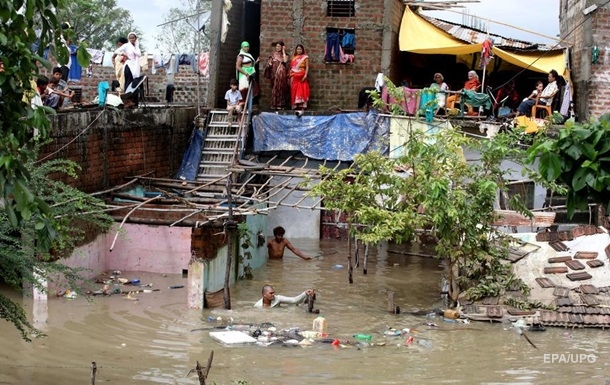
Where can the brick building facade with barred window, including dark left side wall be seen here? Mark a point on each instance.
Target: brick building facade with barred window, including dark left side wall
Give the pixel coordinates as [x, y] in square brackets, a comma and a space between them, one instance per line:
[374, 25]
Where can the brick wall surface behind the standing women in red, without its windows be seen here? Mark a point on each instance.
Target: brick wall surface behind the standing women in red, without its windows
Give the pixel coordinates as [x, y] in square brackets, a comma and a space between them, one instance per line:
[305, 22]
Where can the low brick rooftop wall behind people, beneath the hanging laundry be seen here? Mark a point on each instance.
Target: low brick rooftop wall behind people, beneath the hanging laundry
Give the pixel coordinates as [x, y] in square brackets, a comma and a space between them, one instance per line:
[185, 82]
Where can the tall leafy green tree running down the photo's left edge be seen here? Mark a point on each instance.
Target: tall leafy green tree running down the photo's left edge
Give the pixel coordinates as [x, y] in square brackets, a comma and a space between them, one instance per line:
[31, 222]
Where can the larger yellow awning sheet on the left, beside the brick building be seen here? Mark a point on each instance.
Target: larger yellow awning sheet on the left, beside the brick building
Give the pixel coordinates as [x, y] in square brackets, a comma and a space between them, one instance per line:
[420, 36]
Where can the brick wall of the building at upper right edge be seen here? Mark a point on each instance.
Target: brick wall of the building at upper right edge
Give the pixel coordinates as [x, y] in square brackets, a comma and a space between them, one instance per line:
[591, 81]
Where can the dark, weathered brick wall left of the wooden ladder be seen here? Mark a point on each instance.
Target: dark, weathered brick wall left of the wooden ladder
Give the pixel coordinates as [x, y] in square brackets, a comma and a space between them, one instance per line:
[111, 145]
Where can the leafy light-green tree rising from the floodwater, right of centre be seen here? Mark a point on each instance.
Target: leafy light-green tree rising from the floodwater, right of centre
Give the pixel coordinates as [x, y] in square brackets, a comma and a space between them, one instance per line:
[436, 191]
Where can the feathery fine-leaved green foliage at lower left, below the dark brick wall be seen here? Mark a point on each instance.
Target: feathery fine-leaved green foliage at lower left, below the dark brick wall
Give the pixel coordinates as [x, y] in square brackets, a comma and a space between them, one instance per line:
[71, 210]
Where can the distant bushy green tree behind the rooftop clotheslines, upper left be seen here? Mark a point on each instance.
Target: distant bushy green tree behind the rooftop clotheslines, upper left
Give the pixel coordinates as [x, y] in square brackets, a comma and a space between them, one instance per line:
[99, 22]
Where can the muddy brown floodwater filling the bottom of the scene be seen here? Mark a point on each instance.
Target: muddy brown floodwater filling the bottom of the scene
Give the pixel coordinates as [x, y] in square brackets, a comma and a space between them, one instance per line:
[153, 341]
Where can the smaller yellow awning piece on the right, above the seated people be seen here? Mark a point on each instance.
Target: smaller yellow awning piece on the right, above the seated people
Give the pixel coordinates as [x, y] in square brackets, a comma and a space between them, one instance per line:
[539, 61]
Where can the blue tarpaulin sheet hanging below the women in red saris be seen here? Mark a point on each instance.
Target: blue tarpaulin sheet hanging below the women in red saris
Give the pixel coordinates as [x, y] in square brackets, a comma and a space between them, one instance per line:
[332, 137]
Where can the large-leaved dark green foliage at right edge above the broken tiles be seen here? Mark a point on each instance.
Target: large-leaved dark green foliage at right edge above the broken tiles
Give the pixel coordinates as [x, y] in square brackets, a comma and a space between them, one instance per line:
[579, 158]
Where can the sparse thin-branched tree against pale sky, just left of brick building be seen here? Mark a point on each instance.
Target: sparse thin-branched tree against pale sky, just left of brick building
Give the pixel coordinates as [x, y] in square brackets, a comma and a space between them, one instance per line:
[179, 34]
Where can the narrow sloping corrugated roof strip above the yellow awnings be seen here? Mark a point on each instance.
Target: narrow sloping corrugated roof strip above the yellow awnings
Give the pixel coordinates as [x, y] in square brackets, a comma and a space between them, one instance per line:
[471, 35]
